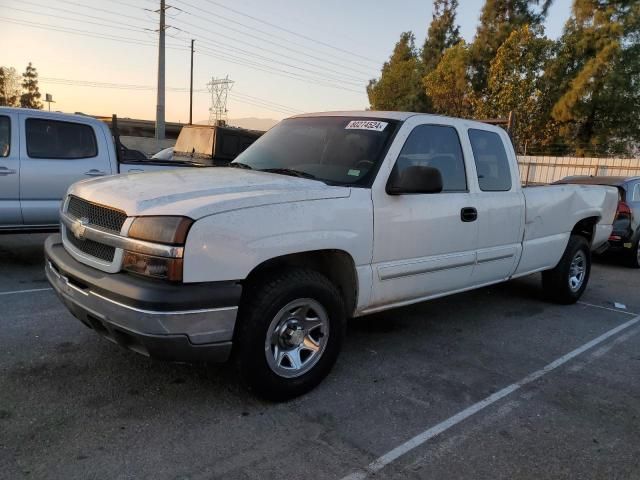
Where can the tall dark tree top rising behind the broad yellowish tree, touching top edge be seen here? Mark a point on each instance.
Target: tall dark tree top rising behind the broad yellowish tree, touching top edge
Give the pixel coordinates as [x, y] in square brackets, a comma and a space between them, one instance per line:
[498, 19]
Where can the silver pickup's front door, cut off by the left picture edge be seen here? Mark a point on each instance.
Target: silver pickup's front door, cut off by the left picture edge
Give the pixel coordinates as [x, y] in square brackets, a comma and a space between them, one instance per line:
[10, 215]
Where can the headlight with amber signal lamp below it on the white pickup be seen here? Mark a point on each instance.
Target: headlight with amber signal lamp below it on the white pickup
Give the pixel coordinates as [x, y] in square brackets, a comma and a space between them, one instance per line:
[165, 230]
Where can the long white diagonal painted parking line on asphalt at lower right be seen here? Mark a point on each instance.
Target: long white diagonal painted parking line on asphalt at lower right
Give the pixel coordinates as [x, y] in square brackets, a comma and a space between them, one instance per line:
[430, 433]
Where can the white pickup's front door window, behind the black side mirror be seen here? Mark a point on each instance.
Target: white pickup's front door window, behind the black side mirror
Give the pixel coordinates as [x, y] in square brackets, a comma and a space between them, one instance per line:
[439, 147]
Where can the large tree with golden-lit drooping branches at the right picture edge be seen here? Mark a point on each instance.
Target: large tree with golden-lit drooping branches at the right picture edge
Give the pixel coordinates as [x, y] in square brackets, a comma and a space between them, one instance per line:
[596, 75]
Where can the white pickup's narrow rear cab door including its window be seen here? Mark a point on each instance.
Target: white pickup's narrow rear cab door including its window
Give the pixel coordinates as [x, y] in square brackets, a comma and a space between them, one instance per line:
[500, 206]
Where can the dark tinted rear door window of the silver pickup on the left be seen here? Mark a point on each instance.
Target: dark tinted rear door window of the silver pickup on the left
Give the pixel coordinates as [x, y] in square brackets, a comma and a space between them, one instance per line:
[60, 140]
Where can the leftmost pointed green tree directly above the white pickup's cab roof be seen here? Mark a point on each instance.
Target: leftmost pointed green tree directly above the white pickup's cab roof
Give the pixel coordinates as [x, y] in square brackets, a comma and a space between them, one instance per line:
[399, 86]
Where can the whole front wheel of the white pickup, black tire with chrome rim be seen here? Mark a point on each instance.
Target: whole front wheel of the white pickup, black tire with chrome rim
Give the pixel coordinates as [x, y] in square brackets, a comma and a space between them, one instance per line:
[291, 329]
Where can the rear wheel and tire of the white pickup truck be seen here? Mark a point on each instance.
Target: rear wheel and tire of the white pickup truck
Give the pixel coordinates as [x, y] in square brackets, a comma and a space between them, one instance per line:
[566, 283]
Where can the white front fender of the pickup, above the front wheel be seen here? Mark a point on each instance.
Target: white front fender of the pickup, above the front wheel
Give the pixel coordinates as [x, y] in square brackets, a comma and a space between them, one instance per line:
[230, 245]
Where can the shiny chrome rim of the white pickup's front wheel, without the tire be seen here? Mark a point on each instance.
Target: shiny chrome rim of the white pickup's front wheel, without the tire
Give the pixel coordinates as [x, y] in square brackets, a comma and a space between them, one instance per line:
[297, 337]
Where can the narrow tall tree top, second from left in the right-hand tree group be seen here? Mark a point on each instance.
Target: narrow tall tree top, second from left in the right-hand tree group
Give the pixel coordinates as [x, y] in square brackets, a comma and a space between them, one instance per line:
[443, 33]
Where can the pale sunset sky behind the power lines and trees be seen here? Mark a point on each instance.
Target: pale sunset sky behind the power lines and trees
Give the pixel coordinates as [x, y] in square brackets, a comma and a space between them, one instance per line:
[286, 56]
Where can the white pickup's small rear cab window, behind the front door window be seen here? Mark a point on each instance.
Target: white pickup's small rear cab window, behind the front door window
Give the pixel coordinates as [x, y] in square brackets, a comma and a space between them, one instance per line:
[492, 163]
